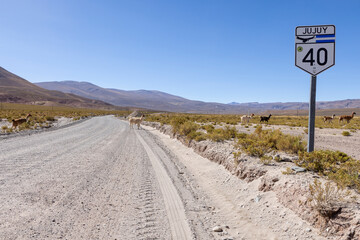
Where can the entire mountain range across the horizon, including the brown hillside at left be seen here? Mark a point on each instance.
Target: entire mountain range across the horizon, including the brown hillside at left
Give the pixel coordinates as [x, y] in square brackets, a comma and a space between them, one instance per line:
[84, 94]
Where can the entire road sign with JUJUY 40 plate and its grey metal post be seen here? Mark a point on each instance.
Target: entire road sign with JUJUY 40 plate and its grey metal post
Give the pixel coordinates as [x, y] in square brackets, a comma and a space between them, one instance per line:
[314, 53]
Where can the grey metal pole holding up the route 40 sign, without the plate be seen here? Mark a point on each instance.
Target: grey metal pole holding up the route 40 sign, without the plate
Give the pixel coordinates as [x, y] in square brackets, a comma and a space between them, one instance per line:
[311, 130]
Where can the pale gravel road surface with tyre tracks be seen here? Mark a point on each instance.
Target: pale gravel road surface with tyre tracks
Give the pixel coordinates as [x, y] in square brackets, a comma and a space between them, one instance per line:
[98, 179]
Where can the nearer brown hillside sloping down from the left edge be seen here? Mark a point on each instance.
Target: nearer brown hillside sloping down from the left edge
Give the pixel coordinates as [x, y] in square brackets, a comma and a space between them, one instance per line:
[18, 90]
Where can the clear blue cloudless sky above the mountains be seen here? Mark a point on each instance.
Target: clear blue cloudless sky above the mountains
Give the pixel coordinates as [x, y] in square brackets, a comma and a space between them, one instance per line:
[214, 51]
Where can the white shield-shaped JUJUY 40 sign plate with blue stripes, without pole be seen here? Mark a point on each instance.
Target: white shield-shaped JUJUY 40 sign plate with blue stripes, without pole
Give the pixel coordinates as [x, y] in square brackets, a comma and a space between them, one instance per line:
[315, 48]
